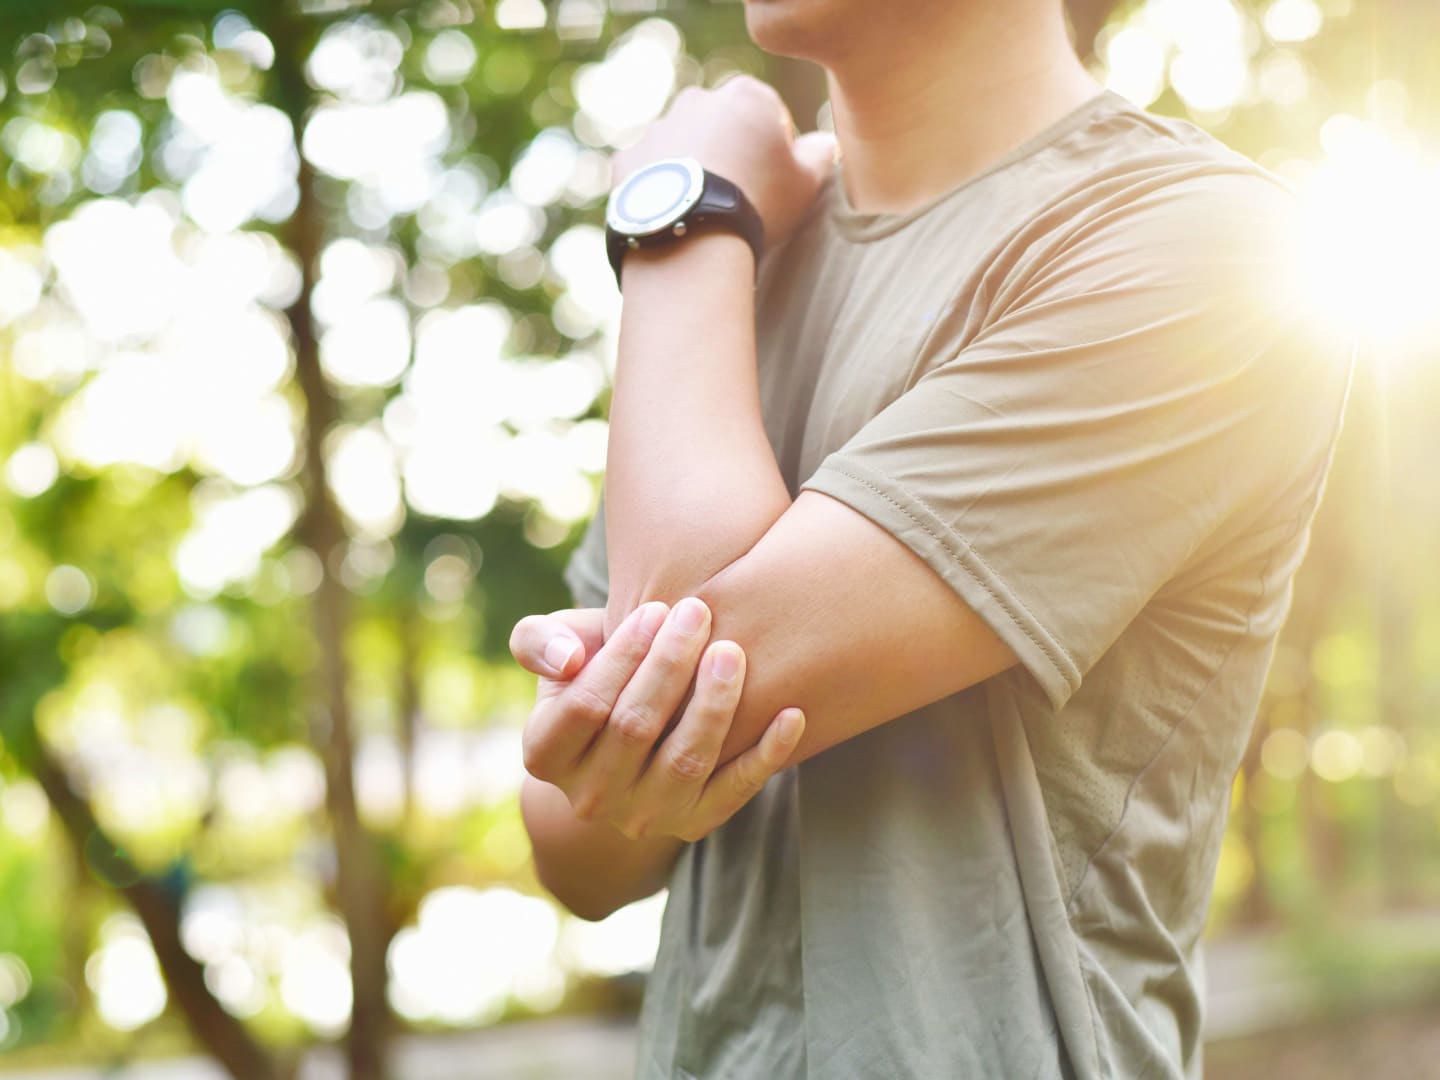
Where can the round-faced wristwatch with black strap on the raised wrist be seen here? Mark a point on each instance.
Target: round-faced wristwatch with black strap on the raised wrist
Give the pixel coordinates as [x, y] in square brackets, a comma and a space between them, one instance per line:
[667, 199]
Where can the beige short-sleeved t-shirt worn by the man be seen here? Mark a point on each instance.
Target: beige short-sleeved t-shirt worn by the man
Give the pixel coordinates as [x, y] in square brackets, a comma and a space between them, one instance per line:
[1078, 388]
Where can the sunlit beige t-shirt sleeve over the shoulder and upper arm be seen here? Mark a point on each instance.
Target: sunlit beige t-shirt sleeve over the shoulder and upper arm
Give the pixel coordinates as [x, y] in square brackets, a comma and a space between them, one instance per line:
[1146, 385]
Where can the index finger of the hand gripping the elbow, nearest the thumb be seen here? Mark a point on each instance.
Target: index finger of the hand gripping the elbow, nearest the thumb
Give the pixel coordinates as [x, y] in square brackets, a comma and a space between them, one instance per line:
[561, 728]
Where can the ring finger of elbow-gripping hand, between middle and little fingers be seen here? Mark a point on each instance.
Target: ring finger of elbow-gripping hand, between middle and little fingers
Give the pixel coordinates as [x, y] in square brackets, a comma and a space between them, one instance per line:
[692, 752]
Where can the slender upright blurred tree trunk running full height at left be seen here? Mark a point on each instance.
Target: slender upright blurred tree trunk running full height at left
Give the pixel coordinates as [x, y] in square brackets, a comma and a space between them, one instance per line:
[361, 888]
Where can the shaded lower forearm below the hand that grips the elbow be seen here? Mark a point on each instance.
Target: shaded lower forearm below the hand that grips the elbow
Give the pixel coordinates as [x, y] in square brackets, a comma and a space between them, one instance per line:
[591, 869]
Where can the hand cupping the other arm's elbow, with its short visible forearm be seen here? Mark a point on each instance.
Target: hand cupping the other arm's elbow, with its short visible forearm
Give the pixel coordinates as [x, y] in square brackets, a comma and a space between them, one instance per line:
[604, 809]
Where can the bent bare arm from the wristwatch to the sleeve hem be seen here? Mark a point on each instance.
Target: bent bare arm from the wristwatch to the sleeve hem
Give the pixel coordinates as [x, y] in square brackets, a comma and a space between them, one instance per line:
[836, 616]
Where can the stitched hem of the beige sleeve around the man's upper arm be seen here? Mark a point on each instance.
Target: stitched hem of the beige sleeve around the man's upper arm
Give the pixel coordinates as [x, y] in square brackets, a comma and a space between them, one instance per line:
[896, 510]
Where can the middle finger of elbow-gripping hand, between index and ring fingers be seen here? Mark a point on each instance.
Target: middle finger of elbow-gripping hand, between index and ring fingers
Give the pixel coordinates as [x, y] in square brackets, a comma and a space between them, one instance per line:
[647, 703]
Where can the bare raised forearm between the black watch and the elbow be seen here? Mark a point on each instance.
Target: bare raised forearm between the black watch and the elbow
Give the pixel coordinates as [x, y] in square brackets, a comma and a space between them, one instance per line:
[692, 482]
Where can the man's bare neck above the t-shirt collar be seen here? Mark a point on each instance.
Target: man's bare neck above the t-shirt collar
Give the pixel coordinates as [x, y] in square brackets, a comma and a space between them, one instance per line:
[917, 126]
